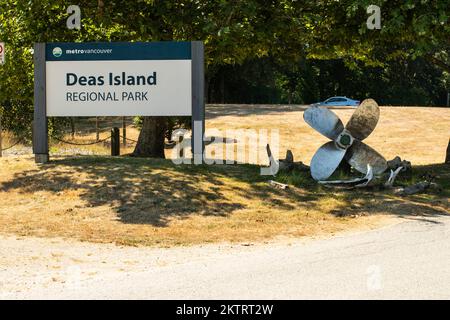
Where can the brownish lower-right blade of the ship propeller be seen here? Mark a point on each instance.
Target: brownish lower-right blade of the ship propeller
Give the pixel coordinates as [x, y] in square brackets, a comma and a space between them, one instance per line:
[360, 155]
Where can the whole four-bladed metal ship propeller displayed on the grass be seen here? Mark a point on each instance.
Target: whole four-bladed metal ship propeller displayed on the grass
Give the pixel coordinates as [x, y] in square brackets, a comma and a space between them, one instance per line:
[347, 141]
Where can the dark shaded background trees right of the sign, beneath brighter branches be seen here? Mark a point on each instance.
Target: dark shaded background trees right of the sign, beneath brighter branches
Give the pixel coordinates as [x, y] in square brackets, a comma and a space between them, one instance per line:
[400, 82]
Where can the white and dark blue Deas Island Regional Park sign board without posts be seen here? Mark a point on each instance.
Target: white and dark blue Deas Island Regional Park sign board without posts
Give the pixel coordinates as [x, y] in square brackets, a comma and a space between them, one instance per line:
[118, 79]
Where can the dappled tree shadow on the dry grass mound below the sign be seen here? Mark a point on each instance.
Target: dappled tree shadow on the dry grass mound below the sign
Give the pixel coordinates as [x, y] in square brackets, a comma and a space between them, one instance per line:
[152, 191]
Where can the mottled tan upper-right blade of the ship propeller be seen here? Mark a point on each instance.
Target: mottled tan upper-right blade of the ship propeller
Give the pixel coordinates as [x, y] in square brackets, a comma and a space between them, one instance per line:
[364, 119]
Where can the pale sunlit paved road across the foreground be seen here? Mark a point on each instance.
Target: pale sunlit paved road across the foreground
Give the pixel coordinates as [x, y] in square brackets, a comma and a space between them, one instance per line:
[406, 260]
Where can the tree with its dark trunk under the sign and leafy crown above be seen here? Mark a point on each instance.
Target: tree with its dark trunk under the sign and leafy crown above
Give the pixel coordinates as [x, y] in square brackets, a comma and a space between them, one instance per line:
[233, 32]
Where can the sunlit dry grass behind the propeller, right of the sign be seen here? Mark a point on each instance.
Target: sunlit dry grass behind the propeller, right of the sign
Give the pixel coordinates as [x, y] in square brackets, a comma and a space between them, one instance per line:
[417, 134]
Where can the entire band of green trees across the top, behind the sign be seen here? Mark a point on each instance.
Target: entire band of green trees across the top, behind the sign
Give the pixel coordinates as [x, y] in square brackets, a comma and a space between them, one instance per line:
[280, 38]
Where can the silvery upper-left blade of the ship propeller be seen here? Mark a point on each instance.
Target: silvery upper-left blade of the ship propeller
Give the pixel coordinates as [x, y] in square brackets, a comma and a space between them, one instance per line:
[323, 121]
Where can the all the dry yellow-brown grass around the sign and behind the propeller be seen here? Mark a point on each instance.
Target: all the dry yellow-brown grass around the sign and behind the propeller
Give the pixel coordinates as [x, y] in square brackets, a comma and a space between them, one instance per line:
[154, 202]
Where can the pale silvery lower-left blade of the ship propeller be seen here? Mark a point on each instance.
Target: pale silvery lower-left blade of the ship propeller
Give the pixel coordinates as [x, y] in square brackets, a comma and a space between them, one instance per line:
[326, 160]
